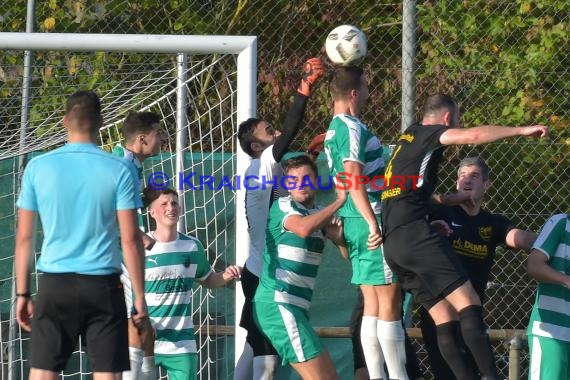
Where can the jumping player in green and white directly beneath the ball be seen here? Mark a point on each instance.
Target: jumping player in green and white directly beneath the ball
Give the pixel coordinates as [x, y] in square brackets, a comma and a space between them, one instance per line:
[353, 150]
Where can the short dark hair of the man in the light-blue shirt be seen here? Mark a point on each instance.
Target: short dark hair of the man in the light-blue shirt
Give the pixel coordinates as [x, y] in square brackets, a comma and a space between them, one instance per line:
[85, 108]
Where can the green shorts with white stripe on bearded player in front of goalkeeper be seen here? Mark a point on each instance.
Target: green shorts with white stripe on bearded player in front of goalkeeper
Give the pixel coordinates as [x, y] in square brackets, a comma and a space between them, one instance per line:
[288, 329]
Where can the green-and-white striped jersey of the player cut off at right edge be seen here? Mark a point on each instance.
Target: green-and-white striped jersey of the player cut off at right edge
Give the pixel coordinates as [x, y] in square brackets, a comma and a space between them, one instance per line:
[550, 315]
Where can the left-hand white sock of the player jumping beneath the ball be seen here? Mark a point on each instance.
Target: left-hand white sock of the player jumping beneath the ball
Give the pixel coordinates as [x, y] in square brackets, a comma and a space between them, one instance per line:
[371, 348]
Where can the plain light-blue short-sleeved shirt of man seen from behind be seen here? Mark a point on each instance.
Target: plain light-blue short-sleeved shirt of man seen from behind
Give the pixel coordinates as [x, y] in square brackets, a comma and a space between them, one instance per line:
[77, 191]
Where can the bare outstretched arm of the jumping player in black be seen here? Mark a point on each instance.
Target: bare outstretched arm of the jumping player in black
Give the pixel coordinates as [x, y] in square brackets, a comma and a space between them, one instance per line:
[489, 133]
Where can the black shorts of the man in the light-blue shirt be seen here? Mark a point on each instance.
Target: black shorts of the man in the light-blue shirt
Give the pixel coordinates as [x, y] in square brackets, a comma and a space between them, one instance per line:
[70, 305]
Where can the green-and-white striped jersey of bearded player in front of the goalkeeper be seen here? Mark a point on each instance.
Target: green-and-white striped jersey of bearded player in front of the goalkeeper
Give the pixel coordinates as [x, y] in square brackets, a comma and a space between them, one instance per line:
[290, 262]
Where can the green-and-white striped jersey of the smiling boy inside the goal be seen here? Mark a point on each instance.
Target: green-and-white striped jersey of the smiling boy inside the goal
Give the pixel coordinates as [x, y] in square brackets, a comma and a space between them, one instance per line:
[170, 271]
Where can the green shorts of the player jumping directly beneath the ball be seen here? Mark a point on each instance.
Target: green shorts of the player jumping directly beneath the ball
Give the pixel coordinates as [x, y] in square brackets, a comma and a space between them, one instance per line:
[368, 266]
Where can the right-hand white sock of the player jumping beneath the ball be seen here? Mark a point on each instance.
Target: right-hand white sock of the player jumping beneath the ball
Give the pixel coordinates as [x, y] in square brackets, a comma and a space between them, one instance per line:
[391, 336]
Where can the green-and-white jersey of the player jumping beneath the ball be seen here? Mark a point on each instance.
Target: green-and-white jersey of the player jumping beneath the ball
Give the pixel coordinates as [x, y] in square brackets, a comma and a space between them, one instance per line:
[348, 139]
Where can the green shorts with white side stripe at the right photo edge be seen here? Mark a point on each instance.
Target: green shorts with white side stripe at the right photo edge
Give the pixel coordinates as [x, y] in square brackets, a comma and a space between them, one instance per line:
[549, 358]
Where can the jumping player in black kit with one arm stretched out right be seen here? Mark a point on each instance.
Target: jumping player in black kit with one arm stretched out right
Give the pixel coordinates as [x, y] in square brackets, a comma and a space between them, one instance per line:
[424, 261]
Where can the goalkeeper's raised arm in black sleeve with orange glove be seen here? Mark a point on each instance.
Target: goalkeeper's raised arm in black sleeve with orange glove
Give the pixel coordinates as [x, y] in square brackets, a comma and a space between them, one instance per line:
[313, 70]
